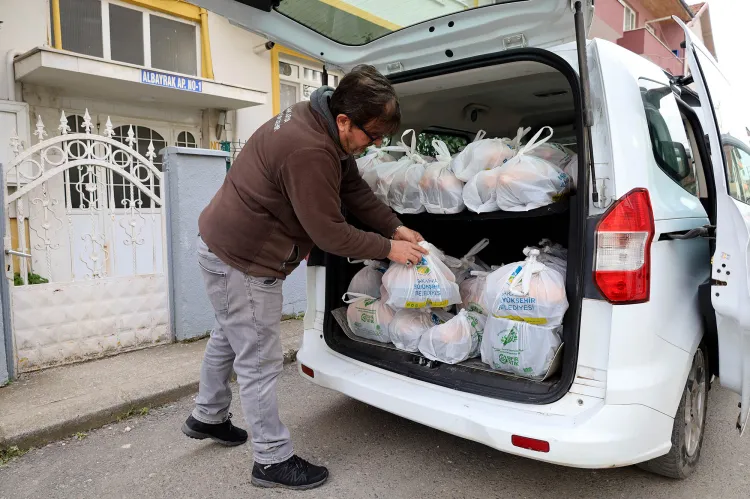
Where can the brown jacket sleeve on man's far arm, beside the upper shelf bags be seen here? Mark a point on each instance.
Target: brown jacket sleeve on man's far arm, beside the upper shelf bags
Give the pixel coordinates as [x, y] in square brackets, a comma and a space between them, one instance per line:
[362, 202]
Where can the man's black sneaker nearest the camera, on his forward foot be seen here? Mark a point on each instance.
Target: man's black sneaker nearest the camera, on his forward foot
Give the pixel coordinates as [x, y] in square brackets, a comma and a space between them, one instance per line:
[294, 473]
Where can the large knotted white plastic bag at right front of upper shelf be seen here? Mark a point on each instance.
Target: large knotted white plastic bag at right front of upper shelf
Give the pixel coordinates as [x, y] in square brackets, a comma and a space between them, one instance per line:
[527, 182]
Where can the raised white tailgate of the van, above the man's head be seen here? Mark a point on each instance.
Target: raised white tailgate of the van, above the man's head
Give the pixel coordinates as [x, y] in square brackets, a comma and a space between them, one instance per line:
[398, 35]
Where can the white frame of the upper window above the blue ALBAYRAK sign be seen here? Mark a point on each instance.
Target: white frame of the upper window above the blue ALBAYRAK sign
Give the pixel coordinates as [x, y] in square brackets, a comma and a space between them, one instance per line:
[146, 25]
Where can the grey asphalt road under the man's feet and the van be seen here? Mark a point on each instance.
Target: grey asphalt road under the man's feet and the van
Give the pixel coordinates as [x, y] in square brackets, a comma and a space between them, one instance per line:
[370, 454]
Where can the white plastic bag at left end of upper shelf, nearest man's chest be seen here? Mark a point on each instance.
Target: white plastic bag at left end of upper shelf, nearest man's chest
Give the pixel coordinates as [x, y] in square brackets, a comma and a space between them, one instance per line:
[398, 182]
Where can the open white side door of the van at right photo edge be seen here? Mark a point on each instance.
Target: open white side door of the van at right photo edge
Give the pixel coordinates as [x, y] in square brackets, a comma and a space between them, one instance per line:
[730, 292]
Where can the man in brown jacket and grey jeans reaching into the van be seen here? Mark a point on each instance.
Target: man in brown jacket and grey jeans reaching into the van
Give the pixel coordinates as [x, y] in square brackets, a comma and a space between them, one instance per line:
[282, 195]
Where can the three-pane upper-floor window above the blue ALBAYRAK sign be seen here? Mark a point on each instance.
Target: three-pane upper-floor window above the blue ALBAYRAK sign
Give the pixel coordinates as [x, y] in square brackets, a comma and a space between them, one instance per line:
[173, 44]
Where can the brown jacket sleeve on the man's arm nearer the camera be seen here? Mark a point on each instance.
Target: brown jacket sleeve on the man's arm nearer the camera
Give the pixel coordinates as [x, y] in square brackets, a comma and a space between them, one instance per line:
[310, 180]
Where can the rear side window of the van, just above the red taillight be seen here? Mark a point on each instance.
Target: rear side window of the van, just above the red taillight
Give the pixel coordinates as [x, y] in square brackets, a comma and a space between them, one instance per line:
[669, 141]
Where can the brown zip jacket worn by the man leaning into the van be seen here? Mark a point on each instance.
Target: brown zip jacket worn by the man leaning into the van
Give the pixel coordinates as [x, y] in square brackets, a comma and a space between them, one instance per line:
[283, 194]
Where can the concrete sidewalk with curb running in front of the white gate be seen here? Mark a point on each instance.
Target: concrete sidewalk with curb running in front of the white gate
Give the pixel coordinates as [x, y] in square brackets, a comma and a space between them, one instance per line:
[55, 403]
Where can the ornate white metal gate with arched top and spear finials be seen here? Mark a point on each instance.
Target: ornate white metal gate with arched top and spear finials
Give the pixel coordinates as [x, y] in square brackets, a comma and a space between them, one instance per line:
[85, 247]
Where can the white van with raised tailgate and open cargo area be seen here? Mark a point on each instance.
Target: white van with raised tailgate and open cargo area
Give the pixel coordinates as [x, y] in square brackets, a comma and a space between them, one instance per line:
[657, 234]
